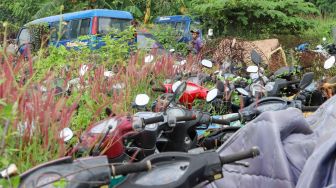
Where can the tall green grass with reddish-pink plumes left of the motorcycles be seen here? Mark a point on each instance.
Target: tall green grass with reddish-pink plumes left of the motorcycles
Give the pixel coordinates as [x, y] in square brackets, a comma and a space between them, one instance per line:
[32, 118]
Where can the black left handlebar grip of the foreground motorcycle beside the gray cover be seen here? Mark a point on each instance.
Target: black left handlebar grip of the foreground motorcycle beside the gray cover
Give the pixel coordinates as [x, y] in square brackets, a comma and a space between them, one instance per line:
[131, 168]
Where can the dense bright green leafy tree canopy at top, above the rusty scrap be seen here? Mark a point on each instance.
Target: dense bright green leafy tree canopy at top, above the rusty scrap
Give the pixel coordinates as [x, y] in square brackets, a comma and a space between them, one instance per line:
[250, 17]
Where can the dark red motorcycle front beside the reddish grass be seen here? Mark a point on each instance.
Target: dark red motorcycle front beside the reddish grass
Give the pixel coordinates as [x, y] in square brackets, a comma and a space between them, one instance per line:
[108, 137]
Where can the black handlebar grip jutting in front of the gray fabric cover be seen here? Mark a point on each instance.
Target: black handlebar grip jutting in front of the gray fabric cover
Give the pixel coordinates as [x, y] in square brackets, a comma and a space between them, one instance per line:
[253, 152]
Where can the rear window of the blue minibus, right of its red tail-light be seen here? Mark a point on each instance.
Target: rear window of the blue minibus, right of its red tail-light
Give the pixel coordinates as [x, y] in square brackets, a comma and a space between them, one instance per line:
[106, 25]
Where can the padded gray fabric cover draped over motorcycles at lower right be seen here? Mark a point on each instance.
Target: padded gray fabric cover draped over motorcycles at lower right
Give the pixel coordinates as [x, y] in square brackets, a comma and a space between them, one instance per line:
[295, 151]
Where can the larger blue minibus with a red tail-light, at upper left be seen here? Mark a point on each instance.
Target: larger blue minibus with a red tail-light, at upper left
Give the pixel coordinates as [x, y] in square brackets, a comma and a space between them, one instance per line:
[70, 26]
